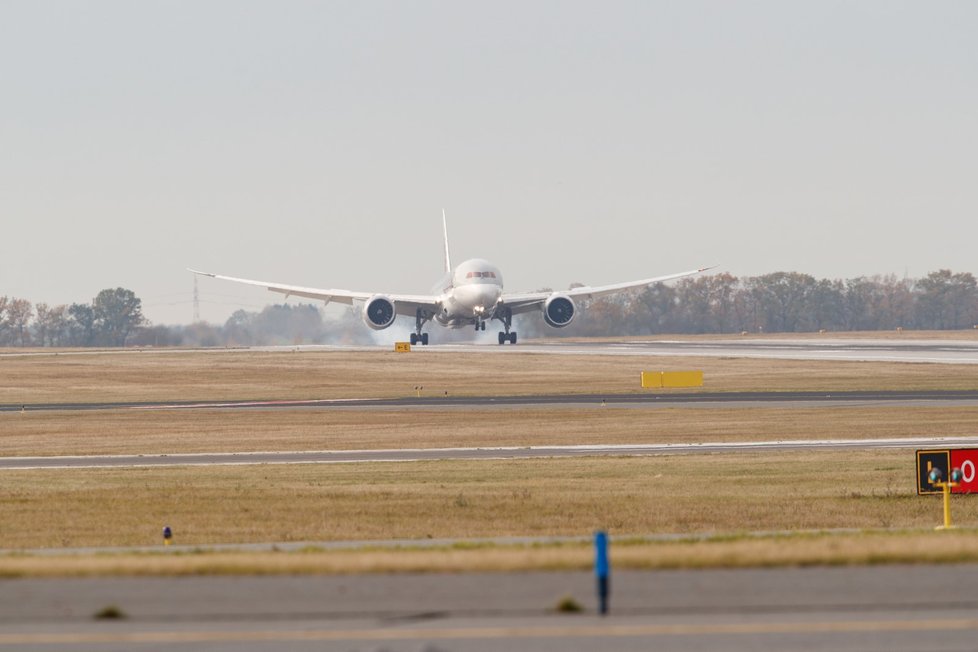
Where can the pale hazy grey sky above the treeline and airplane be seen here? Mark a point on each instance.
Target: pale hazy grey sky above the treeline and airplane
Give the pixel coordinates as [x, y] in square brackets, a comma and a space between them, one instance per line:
[315, 143]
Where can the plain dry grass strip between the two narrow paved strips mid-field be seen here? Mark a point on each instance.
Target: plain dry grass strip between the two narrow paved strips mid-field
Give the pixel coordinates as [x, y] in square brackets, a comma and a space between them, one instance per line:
[182, 431]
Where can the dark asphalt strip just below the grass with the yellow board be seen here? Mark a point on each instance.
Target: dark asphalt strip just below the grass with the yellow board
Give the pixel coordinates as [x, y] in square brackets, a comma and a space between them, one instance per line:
[649, 399]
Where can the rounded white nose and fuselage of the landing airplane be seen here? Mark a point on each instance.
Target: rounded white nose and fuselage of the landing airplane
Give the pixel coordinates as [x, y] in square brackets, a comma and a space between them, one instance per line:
[470, 294]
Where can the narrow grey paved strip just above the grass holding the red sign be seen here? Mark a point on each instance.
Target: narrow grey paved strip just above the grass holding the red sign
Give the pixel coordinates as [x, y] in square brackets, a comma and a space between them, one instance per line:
[487, 453]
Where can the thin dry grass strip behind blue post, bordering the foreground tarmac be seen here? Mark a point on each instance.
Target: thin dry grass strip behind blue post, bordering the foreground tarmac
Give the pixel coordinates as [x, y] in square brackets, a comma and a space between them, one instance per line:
[806, 549]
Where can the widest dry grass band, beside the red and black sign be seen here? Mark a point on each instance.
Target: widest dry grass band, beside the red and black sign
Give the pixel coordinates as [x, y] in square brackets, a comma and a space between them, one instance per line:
[449, 499]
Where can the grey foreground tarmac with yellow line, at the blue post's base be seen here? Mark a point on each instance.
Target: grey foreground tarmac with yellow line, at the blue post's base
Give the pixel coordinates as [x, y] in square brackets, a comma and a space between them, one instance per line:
[893, 608]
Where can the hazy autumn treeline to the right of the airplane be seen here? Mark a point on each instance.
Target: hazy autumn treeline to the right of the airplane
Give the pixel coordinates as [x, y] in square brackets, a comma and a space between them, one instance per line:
[782, 302]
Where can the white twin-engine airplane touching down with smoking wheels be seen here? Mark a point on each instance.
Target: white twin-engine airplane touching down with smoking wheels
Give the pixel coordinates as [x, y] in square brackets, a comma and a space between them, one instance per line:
[470, 294]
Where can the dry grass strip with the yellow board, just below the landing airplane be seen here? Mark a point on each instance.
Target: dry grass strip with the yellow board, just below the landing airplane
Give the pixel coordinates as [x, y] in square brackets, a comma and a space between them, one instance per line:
[220, 375]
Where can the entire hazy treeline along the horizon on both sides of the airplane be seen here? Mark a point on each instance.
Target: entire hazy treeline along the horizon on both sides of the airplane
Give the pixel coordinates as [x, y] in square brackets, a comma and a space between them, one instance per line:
[782, 302]
